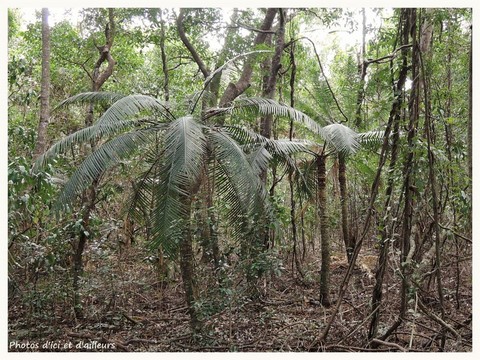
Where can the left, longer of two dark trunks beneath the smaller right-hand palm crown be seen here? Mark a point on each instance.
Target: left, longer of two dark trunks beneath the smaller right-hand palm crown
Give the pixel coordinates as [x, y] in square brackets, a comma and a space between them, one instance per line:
[324, 231]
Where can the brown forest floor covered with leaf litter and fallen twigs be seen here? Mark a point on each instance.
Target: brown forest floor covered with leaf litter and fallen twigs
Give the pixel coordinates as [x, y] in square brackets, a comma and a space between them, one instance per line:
[130, 311]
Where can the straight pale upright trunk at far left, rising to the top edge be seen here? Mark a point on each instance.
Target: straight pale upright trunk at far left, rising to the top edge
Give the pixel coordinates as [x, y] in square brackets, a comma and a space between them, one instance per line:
[41, 144]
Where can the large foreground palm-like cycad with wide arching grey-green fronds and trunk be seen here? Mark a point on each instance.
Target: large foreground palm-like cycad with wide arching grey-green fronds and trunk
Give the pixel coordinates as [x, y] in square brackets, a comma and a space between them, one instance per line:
[182, 145]
